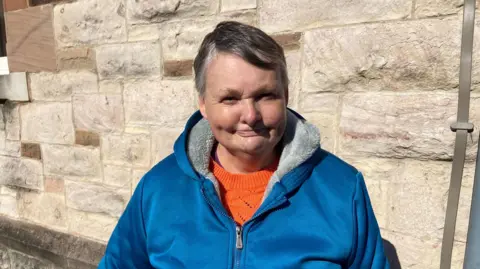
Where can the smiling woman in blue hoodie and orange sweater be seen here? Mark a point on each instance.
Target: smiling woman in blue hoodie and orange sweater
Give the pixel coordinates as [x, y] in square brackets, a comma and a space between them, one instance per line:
[248, 185]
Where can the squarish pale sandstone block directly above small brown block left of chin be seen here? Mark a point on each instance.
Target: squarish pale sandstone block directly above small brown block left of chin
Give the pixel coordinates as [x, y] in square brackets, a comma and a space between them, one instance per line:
[99, 112]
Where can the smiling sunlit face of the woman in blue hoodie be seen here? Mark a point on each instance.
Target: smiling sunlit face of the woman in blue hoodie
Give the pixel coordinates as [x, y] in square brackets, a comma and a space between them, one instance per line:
[245, 106]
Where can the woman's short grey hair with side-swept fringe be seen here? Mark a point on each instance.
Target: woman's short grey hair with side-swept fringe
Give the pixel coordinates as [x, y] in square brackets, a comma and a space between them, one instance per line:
[245, 41]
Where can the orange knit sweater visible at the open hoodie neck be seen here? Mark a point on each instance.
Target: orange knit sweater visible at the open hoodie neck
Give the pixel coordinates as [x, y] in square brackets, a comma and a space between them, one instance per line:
[242, 193]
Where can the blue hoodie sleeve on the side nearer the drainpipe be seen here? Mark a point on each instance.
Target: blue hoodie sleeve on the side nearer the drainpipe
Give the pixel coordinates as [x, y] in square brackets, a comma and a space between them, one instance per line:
[368, 249]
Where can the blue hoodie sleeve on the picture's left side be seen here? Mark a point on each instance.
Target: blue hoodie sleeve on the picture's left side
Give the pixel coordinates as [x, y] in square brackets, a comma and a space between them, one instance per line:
[127, 246]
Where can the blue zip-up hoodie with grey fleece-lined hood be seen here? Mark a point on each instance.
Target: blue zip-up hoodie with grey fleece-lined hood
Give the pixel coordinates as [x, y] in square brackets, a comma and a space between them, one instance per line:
[315, 213]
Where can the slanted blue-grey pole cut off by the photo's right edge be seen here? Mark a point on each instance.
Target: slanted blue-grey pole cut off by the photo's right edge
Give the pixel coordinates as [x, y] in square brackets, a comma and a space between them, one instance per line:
[472, 252]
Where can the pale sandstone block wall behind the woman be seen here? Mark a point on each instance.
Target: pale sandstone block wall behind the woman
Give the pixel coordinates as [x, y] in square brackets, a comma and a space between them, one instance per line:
[111, 87]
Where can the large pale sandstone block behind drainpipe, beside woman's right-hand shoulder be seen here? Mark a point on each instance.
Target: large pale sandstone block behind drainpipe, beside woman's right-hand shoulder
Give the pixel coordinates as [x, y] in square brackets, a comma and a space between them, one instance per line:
[415, 197]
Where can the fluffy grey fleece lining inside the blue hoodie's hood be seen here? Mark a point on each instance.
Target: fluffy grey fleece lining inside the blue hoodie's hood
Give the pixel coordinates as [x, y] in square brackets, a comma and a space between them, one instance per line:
[299, 142]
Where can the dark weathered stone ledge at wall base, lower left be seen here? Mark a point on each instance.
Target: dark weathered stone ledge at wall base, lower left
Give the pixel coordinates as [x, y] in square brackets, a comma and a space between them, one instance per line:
[61, 249]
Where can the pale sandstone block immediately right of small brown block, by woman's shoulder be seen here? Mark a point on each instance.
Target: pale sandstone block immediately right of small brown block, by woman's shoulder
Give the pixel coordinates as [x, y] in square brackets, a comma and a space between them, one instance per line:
[126, 149]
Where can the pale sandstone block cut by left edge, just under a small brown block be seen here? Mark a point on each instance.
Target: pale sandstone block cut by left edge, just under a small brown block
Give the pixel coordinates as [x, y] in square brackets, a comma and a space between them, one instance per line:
[25, 173]
